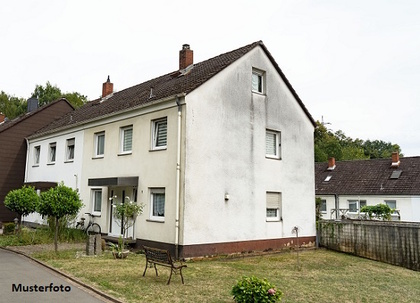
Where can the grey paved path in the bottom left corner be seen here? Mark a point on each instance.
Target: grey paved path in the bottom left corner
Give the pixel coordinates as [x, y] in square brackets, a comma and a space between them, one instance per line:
[24, 280]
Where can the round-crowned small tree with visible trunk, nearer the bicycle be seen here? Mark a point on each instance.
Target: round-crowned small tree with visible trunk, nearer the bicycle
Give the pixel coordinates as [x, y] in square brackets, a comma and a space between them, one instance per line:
[58, 202]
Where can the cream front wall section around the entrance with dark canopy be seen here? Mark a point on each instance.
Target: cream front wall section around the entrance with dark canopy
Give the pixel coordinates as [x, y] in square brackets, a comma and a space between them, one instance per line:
[155, 169]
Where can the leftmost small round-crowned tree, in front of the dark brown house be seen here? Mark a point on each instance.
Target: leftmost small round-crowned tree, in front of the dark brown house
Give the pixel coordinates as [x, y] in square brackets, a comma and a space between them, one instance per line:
[23, 201]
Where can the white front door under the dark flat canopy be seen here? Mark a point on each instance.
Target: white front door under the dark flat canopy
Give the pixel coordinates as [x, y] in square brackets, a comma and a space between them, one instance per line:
[117, 195]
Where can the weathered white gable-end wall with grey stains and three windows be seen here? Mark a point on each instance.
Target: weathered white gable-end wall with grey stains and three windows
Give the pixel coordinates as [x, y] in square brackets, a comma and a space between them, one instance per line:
[225, 148]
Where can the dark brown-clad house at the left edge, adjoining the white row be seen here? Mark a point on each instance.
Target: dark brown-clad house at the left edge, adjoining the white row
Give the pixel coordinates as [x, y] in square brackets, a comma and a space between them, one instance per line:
[13, 145]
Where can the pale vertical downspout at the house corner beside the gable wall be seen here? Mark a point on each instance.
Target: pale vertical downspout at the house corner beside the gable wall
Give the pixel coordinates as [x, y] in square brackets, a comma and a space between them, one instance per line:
[178, 178]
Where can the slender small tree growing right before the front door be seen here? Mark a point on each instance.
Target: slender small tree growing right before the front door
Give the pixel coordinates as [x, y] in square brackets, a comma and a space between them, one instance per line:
[126, 213]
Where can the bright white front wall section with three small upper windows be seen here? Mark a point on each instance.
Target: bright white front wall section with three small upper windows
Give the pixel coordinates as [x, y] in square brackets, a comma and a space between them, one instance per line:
[68, 172]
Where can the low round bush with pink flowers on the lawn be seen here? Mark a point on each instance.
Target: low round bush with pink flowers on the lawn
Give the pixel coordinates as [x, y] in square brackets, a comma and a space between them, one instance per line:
[252, 289]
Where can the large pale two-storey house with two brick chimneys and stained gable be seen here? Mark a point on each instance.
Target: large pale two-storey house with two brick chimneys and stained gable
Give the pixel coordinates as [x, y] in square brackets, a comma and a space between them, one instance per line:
[220, 152]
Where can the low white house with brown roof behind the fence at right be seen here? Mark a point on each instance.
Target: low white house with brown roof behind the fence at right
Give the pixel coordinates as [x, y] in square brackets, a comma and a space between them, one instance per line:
[346, 186]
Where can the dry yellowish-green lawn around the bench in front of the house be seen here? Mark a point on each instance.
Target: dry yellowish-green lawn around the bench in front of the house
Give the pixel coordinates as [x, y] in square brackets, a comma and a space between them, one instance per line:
[323, 276]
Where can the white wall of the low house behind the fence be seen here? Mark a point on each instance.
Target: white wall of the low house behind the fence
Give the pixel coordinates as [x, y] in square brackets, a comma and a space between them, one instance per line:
[408, 206]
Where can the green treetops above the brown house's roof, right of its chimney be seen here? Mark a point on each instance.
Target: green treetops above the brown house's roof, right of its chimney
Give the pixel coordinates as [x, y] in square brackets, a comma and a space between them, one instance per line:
[48, 93]
